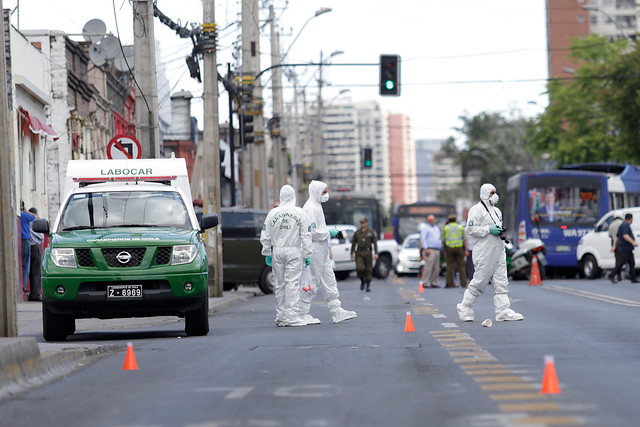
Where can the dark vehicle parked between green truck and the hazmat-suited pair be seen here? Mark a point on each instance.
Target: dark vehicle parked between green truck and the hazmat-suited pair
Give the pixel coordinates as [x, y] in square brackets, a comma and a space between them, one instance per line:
[241, 258]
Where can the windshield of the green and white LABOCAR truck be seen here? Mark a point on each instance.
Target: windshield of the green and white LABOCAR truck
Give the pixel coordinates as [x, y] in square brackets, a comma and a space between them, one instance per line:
[125, 209]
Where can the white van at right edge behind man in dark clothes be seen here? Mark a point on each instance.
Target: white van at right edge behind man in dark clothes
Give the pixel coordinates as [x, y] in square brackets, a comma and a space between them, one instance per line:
[594, 249]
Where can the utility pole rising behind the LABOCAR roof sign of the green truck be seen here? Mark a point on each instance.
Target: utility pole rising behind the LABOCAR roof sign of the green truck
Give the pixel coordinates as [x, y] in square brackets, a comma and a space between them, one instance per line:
[145, 76]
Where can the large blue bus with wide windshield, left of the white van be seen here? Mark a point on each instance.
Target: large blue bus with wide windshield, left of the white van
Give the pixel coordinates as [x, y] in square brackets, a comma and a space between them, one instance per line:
[558, 207]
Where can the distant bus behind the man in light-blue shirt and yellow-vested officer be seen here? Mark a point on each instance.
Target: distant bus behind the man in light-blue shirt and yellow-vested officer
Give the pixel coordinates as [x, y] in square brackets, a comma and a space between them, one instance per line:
[409, 218]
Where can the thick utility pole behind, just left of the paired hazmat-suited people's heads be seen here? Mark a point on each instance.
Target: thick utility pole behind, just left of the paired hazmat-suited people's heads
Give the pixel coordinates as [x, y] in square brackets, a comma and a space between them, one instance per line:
[257, 182]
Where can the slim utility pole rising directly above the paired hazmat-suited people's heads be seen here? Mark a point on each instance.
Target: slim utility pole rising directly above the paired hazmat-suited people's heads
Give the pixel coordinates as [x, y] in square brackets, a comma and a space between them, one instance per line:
[280, 165]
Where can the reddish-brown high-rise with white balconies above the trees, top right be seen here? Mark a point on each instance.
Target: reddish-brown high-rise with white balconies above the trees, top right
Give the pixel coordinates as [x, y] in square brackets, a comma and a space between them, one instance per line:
[570, 19]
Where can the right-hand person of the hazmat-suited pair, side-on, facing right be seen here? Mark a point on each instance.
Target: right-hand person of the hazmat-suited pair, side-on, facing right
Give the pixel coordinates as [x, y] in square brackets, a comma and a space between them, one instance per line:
[323, 275]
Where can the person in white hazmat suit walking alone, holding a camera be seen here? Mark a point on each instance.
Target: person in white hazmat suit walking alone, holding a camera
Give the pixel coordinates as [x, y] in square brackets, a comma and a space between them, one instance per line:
[485, 224]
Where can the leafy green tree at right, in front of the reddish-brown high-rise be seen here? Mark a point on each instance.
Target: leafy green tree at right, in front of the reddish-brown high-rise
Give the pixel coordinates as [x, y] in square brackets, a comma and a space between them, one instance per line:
[594, 116]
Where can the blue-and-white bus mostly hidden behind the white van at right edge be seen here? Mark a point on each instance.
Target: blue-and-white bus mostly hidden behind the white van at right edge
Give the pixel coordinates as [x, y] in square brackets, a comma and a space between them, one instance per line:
[623, 182]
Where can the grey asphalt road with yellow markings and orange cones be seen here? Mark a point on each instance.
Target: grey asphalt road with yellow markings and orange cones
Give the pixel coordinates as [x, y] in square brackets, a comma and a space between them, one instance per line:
[367, 371]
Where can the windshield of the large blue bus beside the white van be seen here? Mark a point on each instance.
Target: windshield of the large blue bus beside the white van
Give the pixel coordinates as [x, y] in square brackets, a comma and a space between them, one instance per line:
[567, 200]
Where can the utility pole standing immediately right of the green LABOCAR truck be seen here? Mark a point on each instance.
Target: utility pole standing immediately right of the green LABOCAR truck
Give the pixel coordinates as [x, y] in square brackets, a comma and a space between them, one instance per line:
[211, 146]
